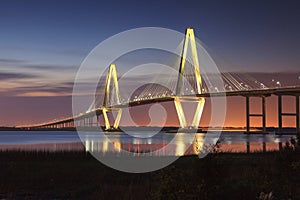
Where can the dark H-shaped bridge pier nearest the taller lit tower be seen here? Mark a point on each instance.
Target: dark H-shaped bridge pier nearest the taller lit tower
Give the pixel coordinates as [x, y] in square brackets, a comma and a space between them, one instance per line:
[262, 115]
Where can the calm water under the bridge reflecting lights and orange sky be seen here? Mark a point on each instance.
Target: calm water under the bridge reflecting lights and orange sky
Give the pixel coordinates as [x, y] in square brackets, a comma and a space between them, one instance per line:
[115, 142]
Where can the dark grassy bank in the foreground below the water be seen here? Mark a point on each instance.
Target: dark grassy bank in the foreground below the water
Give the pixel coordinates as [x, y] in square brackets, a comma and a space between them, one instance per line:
[77, 175]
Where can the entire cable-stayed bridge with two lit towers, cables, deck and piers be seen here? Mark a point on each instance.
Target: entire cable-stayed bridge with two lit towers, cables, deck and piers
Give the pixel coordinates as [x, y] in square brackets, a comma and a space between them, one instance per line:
[189, 85]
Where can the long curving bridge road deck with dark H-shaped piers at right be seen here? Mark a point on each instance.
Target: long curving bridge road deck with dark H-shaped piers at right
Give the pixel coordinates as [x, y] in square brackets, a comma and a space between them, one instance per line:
[287, 91]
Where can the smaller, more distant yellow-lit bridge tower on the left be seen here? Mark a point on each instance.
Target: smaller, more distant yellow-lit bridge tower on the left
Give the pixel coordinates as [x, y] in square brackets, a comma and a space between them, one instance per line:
[111, 78]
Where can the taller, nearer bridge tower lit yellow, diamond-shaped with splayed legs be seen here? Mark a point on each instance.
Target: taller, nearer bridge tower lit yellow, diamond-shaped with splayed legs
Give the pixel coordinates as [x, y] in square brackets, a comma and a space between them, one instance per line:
[189, 39]
